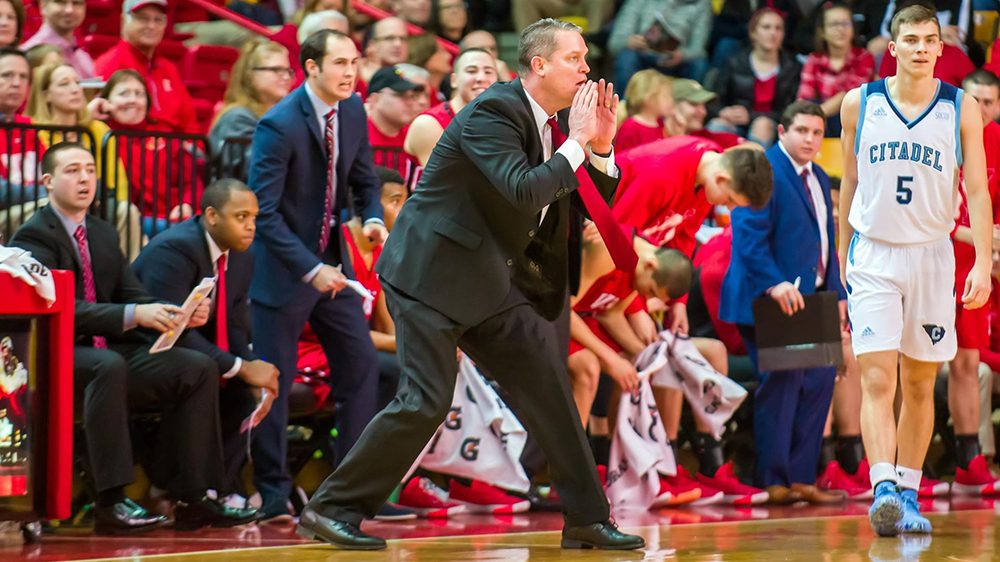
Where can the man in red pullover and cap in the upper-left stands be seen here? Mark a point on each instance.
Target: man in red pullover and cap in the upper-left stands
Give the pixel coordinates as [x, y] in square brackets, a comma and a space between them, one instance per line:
[143, 25]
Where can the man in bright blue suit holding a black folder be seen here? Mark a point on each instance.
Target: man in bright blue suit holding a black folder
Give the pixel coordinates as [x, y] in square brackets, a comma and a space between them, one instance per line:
[785, 250]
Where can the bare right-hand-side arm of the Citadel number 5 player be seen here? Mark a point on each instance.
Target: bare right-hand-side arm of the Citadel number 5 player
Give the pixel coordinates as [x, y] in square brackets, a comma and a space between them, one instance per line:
[977, 284]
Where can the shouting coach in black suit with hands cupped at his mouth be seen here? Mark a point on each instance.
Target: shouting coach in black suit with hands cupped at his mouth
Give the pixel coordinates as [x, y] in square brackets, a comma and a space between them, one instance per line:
[478, 259]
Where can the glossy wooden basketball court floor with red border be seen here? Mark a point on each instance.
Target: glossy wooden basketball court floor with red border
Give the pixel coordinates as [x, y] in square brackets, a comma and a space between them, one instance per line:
[965, 529]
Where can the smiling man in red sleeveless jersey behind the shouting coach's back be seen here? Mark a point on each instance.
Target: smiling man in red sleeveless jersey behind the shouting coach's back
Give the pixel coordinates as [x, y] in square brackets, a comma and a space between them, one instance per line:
[475, 71]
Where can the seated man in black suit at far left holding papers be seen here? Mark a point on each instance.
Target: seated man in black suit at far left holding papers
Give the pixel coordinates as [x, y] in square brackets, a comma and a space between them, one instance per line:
[113, 369]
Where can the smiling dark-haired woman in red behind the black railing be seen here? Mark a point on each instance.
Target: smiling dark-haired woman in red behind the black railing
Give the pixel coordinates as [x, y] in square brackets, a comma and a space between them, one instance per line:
[165, 174]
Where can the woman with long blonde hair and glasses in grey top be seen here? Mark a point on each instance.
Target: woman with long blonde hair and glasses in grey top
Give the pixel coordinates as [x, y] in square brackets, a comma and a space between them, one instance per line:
[261, 77]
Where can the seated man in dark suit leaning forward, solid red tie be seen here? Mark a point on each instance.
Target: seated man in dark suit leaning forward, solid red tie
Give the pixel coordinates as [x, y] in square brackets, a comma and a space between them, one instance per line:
[215, 244]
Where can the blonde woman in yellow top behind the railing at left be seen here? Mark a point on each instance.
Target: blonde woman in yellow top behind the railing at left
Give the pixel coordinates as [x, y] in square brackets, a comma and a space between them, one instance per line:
[57, 98]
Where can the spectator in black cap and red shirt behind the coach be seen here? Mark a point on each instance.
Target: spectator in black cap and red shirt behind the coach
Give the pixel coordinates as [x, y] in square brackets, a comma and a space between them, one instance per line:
[391, 107]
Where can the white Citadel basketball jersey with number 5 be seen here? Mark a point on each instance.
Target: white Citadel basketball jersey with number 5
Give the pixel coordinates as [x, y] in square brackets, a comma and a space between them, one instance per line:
[907, 192]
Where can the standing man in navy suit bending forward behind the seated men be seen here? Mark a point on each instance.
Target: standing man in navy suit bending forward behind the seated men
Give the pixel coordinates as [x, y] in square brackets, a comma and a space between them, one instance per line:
[311, 163]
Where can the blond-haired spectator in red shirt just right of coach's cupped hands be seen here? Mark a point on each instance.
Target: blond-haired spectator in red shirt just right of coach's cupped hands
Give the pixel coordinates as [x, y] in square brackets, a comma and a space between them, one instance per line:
[649, 102]
